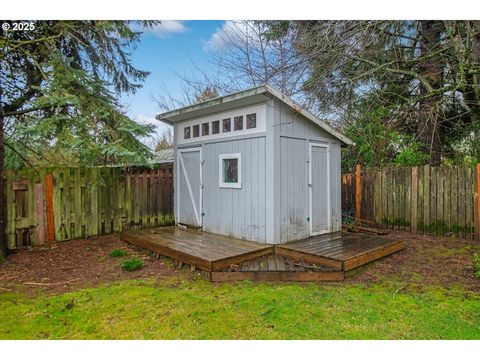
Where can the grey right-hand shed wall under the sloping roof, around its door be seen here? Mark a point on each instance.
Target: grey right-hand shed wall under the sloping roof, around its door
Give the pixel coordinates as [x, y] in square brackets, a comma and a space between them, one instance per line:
[295, 133]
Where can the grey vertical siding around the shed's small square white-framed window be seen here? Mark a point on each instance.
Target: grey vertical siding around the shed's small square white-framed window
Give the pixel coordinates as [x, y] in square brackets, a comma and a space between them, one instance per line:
[241, 212]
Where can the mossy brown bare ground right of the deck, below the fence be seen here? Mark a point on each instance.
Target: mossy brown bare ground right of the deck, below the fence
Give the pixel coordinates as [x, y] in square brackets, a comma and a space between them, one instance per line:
[426, 260]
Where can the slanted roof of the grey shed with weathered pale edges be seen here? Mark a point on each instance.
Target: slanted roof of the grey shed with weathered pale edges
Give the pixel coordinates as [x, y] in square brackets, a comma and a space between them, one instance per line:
[244, 98]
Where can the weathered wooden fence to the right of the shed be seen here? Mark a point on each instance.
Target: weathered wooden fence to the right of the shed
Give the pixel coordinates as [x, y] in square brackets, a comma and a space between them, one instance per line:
[428, 199]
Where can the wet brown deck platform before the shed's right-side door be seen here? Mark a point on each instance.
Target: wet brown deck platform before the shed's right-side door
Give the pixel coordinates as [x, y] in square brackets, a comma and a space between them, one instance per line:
[341, 251]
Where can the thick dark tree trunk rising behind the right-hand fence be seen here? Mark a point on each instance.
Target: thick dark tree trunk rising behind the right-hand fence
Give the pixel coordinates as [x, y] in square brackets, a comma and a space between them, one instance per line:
[431, 68]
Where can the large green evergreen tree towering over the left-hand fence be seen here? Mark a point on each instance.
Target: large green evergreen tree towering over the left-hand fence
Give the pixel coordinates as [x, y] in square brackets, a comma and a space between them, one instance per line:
[59, 82]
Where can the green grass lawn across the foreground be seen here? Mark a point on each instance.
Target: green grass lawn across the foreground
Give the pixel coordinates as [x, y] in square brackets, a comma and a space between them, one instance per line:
[180, 308]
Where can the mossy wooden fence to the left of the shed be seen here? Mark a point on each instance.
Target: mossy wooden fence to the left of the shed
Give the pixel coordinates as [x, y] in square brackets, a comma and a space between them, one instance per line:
[47, 205]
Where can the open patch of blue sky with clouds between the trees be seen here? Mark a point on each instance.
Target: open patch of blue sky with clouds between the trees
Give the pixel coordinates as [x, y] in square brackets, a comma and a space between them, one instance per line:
[172, 47]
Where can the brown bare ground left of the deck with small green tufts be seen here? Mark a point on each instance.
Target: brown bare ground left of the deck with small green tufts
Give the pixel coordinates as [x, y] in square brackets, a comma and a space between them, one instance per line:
[77, 263]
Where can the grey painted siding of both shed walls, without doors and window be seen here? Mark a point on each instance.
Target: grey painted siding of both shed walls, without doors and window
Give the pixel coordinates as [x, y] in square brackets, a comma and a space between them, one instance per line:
[273, 205]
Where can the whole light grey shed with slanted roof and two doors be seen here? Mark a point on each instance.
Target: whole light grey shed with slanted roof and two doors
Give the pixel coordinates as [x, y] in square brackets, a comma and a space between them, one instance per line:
[256, 166]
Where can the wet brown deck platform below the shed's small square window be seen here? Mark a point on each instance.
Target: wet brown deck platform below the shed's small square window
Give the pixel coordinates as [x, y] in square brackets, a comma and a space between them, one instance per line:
[206, 251]
